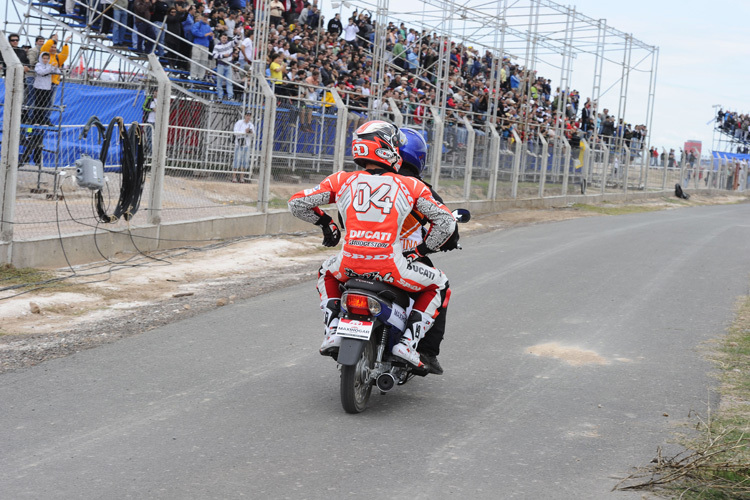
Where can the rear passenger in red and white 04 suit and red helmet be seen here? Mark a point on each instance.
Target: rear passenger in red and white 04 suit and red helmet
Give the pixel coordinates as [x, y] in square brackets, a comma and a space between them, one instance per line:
[374, 204]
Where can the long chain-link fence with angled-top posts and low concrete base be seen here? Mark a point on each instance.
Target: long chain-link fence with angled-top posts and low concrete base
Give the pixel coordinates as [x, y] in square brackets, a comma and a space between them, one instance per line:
[194, 155]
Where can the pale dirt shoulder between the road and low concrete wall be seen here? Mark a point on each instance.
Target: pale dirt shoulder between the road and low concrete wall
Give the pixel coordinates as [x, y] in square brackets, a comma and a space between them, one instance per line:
[110, 300]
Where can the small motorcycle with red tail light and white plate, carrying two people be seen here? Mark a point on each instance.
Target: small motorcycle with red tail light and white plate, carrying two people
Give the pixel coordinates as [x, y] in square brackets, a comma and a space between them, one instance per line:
[373, 318]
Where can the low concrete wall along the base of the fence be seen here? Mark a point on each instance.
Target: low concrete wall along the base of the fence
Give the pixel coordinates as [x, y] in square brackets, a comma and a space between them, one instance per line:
[51, 252]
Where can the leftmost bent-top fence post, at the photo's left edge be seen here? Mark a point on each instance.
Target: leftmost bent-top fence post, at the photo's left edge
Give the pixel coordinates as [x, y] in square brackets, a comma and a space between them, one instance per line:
[12, 110]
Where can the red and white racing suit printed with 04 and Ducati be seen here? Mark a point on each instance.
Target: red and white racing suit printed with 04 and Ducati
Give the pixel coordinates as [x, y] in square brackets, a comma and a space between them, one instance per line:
[374, 206]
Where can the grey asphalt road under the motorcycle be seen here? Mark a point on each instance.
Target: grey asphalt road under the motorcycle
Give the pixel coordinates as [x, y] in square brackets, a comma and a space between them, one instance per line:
[238, 404]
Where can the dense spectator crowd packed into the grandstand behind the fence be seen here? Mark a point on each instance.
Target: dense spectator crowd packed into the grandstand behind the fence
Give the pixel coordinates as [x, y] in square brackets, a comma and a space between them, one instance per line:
[306, 56]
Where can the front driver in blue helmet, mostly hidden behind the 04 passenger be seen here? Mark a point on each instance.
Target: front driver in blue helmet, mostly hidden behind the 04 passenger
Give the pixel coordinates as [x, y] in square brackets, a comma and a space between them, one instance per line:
[414, 154]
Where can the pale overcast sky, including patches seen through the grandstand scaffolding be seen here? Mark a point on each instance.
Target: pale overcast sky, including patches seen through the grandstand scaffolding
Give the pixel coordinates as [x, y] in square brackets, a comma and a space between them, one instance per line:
[703, 61]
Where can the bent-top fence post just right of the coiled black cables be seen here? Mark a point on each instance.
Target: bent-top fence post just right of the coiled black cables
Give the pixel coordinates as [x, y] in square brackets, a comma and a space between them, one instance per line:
[161, 131]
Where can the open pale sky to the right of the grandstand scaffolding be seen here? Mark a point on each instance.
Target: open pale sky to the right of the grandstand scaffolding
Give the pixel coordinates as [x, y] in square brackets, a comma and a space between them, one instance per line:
[704, 59]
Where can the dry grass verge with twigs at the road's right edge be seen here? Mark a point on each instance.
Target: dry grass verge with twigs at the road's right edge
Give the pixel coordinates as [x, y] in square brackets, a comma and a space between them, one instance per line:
[716, 464]
